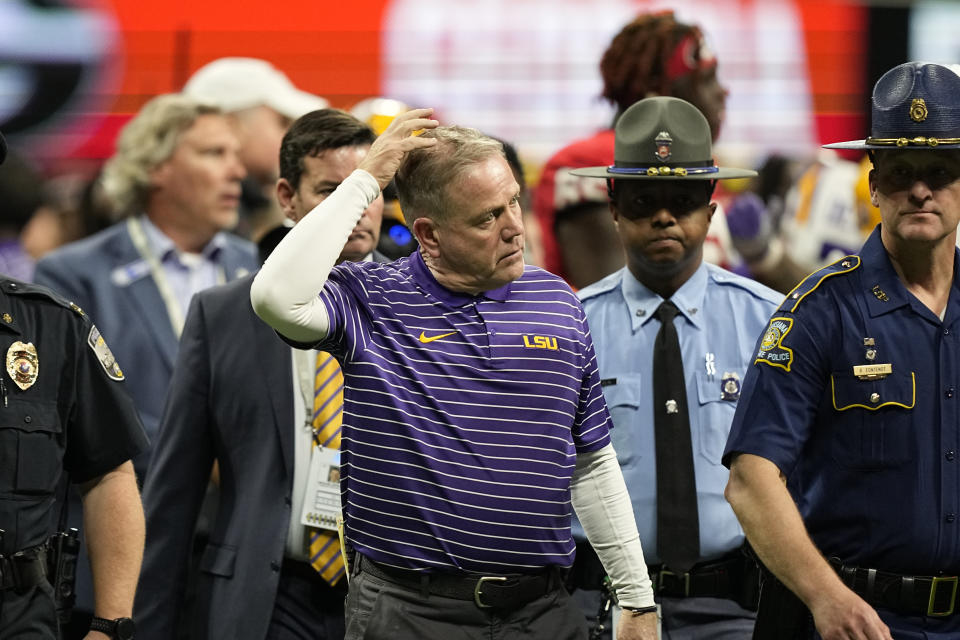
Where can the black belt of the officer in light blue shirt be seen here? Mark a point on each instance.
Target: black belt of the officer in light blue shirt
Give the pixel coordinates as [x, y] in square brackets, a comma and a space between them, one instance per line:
[721, 578]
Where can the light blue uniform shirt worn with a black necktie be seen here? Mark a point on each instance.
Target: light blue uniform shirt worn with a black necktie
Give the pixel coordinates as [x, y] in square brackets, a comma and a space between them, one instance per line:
[721, 317]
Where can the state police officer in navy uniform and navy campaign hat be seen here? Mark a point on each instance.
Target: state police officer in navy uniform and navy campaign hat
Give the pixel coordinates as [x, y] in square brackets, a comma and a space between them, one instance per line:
[843, 452]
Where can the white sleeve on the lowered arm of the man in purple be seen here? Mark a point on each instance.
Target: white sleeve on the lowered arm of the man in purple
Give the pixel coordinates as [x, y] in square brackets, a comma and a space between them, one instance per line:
[602, 503]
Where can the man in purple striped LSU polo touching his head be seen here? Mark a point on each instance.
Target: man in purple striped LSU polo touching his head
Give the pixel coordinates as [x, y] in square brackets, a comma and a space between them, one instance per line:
[473, 417]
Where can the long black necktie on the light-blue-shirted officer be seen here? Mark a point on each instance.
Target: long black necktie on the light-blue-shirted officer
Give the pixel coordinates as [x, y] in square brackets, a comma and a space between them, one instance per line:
[678, 526]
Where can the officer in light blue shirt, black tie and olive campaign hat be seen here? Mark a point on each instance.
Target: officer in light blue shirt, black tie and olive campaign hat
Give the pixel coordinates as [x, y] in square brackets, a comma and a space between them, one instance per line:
[660, 190]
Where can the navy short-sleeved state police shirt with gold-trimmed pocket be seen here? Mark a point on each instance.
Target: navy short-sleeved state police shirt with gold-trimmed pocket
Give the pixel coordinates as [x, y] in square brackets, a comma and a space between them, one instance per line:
[871, 463]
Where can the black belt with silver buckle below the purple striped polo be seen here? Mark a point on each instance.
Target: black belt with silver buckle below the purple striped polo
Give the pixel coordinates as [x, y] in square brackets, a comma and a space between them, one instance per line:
[487, 592]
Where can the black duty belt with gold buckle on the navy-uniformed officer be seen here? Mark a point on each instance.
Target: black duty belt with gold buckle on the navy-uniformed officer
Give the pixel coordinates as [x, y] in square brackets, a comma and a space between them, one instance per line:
[934, 596]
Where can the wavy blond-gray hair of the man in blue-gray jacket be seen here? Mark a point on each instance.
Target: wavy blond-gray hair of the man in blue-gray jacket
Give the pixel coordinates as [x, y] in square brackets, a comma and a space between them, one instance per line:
[145, 143]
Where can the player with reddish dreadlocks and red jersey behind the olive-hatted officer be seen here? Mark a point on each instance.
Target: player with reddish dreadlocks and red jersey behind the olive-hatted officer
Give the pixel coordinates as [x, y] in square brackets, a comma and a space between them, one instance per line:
[652, 55]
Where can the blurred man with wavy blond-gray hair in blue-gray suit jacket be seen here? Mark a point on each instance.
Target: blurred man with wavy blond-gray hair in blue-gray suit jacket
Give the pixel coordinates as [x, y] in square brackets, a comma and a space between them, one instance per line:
[176, 176]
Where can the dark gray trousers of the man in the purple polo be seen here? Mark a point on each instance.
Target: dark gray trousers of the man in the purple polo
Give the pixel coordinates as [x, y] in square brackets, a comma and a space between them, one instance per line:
[380, 610]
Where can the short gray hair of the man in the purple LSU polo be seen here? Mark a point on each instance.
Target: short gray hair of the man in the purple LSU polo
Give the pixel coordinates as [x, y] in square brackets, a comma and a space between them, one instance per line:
[425, 174]
